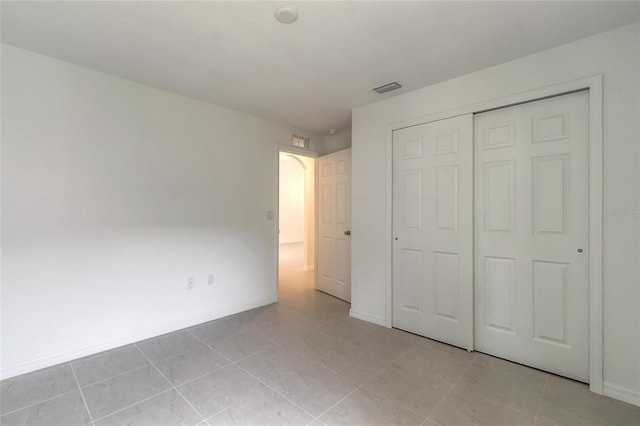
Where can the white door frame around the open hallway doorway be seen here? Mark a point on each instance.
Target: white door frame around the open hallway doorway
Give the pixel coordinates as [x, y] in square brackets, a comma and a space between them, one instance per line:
[286, 149]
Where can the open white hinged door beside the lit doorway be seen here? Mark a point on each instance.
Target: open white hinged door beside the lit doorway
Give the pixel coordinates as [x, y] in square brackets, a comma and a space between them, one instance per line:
[334, 224]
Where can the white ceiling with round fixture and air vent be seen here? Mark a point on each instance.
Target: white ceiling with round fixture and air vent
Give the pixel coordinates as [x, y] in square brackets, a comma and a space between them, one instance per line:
[308, 74]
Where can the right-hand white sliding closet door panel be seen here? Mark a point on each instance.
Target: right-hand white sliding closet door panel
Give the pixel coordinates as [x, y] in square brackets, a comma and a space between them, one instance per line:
[531, 234]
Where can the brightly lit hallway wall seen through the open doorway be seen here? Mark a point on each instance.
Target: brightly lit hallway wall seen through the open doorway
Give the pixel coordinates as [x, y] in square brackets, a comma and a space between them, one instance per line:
[291, 211]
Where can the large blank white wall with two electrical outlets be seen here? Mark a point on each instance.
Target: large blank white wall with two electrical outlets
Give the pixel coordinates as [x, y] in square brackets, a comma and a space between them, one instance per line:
[113, 194]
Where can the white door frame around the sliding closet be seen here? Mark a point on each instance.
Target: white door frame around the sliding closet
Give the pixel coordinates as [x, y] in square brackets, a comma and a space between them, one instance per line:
[594, 85]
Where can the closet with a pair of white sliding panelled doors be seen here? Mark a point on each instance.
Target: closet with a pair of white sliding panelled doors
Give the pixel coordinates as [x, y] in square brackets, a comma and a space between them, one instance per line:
[490, 230]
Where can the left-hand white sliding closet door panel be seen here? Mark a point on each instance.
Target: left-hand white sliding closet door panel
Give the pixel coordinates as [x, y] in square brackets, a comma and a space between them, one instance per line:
[432, 230]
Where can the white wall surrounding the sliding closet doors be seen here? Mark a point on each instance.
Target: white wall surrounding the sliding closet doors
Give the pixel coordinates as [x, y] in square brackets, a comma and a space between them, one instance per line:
[615, 55]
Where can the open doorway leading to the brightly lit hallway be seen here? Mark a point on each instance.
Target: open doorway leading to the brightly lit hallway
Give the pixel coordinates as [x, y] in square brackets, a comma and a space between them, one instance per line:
[296, 224]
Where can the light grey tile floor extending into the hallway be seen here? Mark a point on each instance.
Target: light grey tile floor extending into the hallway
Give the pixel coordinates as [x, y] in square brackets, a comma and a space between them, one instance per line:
[300, 361]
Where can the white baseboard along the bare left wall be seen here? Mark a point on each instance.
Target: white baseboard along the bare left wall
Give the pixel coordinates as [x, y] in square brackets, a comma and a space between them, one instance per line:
[75, 353]
